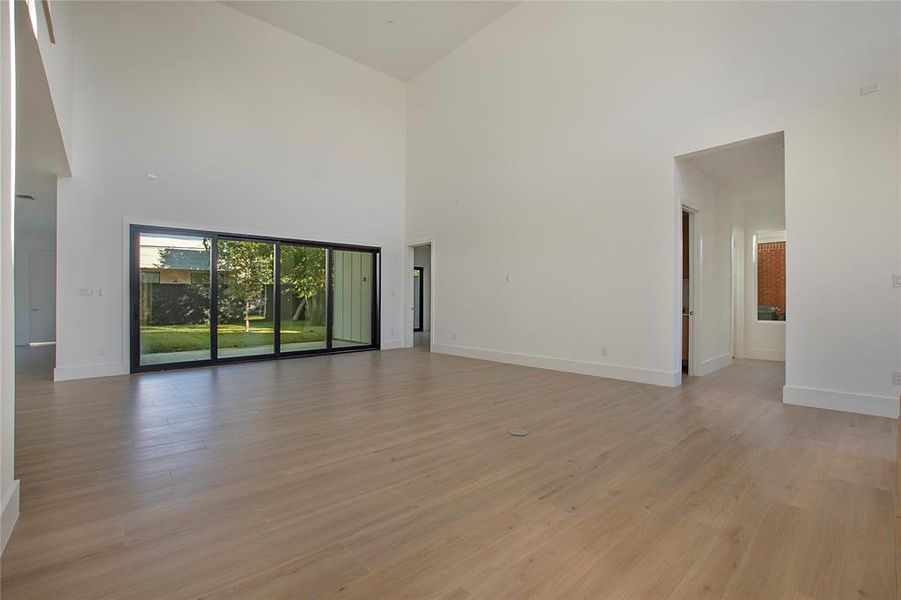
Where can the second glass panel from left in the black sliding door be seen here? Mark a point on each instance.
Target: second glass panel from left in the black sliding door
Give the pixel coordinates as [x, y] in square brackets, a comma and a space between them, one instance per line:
[246, 298]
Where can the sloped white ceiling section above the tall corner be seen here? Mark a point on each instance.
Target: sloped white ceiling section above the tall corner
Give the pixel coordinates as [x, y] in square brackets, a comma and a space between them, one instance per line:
[398, 38]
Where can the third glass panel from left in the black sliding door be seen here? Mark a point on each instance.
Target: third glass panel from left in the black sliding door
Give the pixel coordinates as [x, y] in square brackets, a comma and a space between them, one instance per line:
[303, 298]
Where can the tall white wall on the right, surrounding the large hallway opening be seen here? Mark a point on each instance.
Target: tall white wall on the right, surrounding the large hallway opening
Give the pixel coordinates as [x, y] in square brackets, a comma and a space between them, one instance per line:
[550, 135]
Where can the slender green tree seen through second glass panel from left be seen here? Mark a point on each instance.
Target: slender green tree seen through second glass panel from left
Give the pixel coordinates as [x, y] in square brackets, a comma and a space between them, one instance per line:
[246, 268]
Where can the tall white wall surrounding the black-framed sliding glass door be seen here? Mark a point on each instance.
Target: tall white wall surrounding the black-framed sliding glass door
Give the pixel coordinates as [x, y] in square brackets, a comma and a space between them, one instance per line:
[248, 128]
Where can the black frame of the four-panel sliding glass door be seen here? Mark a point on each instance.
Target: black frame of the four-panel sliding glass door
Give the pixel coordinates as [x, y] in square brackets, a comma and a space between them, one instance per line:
[135, 231]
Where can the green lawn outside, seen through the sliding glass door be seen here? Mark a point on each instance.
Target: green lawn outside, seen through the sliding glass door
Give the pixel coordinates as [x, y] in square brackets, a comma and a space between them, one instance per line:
[178, 338]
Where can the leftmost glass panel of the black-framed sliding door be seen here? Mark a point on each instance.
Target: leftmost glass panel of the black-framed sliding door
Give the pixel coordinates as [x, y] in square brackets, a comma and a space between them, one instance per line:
[174, 306]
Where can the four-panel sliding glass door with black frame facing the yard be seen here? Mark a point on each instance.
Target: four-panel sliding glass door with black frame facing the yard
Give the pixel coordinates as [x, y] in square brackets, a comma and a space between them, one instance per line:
[205, 297]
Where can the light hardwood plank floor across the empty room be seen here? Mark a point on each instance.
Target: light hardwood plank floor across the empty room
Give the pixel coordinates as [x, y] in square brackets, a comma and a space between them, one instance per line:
[392, 475]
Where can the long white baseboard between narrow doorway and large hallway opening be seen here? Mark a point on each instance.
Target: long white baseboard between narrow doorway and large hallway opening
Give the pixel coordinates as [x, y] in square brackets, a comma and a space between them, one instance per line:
[651, 376]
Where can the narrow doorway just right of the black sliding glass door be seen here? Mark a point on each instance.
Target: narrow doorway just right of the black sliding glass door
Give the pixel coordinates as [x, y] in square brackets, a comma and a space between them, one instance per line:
[419, 282]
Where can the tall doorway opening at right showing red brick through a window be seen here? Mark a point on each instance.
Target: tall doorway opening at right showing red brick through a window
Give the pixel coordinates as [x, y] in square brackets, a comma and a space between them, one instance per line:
[734, 253]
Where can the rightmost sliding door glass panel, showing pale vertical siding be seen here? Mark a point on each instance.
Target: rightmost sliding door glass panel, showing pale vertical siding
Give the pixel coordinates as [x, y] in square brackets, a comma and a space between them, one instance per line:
[352, 272]
